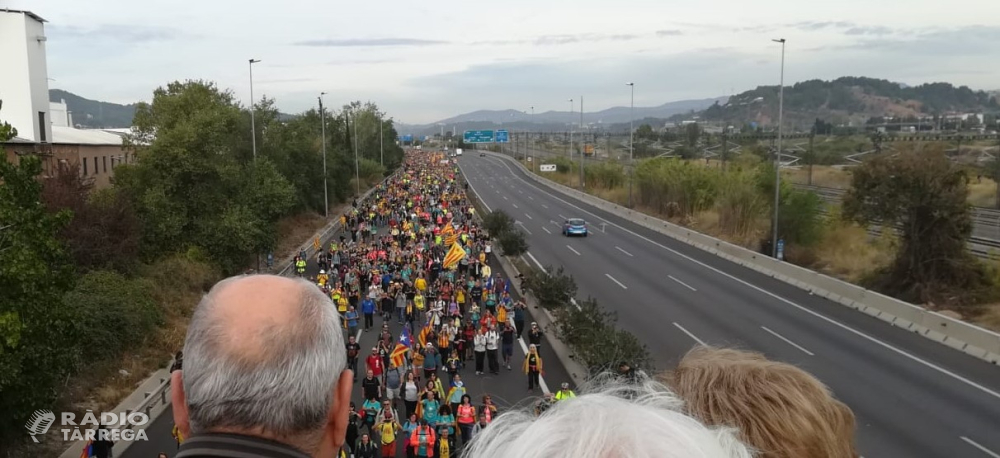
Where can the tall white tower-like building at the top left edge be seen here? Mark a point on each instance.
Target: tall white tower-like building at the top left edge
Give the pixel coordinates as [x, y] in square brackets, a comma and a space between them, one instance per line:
[24, 83]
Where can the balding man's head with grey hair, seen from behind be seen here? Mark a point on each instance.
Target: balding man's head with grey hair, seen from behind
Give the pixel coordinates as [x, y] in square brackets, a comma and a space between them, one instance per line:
[265, 355]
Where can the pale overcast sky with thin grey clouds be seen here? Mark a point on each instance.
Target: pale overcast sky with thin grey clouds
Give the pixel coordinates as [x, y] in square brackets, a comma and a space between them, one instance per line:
[425, 61]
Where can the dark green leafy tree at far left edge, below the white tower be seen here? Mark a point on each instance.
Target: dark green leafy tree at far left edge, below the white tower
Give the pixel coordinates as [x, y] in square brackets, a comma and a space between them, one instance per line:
[35, 329]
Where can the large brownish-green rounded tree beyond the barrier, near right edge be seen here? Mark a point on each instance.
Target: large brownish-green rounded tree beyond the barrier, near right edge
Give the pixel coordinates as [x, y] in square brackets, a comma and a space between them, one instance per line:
[924, 195]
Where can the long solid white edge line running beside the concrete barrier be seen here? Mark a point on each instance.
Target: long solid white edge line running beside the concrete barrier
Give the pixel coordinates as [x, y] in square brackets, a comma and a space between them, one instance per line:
[836, 323]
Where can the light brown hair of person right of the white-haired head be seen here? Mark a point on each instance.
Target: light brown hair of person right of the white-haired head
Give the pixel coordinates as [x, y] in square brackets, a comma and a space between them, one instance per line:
[779, 409]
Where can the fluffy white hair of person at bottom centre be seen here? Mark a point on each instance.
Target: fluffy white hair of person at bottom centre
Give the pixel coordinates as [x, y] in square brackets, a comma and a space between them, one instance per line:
[611, 420]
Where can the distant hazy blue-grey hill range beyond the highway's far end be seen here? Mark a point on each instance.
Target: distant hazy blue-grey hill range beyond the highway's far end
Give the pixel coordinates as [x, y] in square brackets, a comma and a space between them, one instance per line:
[556, 120]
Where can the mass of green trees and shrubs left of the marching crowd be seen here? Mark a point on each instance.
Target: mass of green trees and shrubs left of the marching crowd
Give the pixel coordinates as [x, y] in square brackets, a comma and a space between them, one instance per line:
[97, 286]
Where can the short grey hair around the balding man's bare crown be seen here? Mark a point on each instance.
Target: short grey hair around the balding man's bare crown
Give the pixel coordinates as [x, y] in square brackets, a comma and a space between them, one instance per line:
[286, 391]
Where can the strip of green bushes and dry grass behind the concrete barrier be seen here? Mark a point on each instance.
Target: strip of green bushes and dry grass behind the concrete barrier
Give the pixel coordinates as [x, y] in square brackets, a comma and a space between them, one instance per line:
[925, 262]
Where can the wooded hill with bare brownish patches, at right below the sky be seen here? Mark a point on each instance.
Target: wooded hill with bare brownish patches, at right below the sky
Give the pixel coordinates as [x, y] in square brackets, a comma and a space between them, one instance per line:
[849, 100]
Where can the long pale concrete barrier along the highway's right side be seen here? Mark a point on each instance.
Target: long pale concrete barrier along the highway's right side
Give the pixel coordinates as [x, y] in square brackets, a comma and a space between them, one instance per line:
[965, 337]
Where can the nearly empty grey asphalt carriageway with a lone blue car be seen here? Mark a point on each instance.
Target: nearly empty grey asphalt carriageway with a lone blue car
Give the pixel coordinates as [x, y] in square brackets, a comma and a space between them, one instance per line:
[912, 397]
